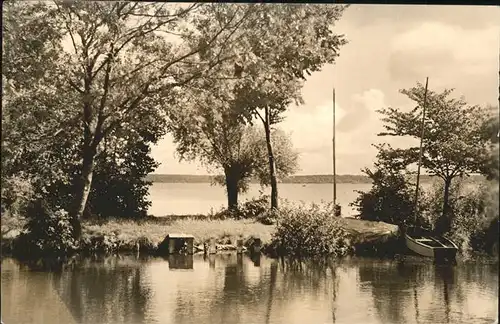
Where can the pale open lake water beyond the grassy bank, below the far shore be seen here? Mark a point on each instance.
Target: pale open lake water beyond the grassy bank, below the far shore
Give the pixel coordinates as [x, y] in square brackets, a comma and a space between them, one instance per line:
[200, 198]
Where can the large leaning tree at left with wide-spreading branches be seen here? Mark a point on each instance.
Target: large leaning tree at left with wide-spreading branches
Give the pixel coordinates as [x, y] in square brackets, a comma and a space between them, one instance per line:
[123, 62]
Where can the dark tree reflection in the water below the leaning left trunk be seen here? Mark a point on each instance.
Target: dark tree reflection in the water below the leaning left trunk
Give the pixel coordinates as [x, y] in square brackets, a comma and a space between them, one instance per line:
[109, 290]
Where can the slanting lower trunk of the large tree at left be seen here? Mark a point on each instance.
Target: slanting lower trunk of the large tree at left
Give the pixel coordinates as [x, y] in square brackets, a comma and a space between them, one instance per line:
[84, 188]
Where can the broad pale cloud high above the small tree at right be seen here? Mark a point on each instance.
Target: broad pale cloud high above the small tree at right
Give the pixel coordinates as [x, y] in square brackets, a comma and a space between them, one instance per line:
[444, 51]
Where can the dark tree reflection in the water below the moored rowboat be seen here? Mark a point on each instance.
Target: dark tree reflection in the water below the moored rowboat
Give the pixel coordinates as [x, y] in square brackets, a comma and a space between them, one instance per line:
[394, 284]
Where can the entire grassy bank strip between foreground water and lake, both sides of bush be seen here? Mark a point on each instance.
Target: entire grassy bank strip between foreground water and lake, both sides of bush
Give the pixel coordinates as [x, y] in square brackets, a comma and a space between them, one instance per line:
[115, 236]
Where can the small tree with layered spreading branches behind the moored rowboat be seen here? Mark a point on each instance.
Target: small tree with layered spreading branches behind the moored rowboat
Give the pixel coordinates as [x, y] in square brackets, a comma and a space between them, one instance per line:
[453, 145]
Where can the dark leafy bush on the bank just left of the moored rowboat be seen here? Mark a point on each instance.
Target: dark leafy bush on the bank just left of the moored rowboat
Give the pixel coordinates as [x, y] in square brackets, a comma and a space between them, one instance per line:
[391, 198]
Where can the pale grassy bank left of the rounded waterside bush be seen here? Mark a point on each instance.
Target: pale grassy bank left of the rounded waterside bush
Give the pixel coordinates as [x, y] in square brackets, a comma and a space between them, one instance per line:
[127, 235]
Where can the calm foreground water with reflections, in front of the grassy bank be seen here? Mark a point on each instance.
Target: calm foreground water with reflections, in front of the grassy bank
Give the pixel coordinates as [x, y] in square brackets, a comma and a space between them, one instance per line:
[237, 289]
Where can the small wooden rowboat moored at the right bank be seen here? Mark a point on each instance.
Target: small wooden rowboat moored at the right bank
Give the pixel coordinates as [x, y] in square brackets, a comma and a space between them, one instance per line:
[424, 243]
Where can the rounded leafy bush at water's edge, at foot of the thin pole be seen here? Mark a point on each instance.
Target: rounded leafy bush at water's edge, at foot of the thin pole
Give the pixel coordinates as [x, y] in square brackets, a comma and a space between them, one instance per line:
[309, 231]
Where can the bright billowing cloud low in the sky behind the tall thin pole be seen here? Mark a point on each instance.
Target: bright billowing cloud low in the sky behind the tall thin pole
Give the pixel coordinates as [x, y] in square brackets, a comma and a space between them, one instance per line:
[357, 126]
